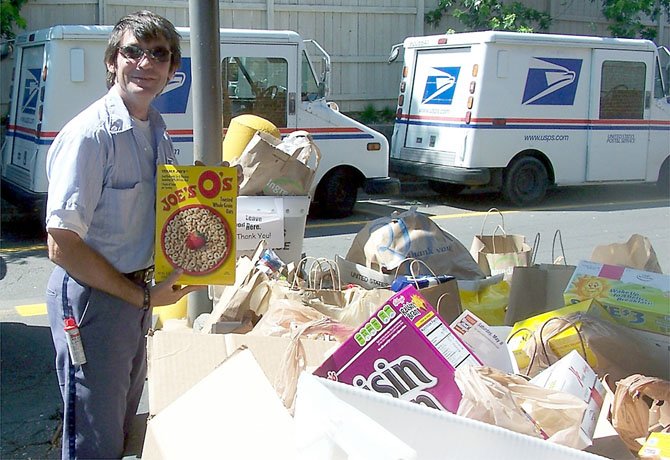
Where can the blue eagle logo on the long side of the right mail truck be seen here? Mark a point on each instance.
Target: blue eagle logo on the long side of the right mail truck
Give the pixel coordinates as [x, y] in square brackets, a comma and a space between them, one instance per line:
[552, 81]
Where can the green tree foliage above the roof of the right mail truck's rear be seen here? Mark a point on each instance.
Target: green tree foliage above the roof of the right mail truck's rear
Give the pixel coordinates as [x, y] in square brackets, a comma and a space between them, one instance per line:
[491, 15]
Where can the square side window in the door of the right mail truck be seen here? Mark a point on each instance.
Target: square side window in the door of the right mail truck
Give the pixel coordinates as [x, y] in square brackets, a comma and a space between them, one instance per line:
[622, 90]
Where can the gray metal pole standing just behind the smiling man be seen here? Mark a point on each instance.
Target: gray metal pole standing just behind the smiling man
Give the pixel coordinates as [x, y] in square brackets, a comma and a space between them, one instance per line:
[207, 106]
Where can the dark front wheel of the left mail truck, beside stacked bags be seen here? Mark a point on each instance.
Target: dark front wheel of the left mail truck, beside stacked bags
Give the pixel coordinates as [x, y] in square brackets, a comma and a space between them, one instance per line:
[336, 194]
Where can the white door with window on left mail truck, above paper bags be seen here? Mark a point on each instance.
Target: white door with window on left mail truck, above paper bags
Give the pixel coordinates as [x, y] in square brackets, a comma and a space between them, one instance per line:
[260, 80]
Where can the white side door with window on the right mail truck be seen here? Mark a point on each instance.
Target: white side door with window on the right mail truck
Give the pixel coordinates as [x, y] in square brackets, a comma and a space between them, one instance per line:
[619, 105]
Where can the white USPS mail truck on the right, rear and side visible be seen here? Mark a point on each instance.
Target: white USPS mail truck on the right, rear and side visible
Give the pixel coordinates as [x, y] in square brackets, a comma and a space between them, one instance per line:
[525, 112]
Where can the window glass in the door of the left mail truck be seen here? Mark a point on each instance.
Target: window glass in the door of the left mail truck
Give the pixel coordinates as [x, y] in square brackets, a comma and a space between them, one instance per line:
[255, 85]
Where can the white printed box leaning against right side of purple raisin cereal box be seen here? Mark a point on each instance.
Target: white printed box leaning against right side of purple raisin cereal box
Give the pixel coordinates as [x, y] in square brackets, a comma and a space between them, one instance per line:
[483, 340]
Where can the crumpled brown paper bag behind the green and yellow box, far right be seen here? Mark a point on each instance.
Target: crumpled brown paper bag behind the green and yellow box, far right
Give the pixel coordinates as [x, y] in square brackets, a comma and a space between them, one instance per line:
[636, 253]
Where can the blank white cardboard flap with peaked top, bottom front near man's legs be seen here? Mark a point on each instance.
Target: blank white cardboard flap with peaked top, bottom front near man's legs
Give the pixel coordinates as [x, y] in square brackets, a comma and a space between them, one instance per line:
[232, 412]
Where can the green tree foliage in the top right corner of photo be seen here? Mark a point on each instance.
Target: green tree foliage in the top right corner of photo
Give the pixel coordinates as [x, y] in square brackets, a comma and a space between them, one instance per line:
[626, 17]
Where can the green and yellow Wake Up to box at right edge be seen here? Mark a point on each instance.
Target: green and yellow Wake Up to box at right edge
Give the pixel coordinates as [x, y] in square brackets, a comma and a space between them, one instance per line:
[634, 298]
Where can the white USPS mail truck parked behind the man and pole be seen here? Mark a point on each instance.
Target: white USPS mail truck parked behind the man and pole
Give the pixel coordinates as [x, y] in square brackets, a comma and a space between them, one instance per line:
[59, 71]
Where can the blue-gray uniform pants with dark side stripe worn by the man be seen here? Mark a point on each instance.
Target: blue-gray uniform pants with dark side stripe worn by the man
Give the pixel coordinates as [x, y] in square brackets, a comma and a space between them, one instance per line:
[101, 396]
